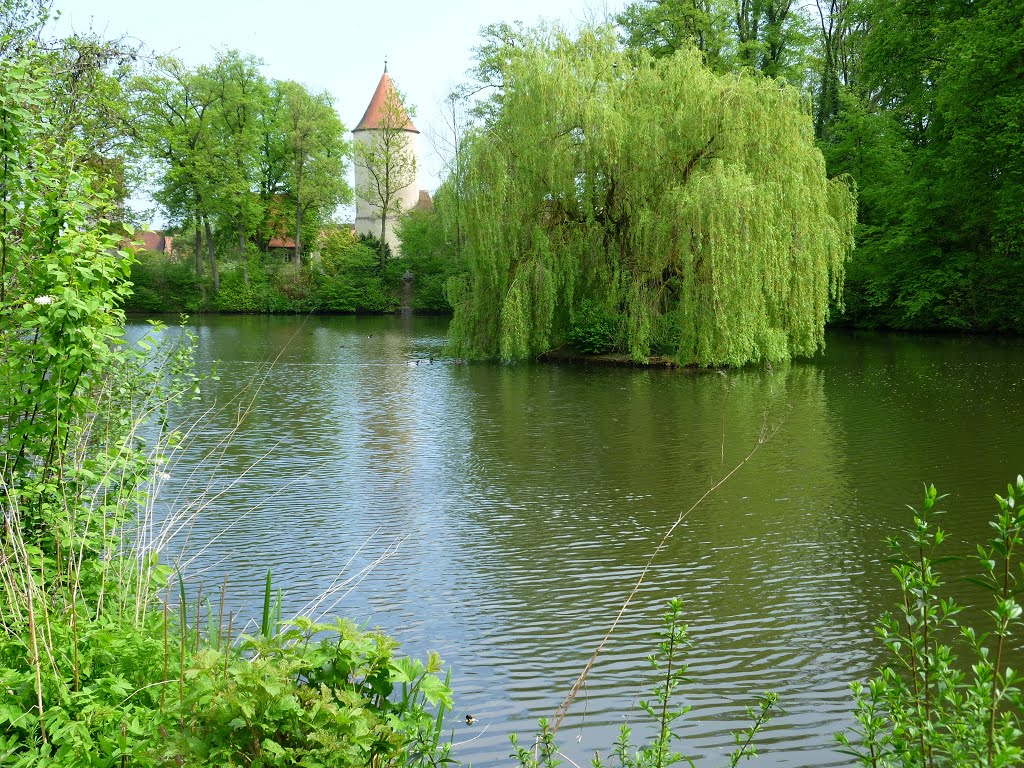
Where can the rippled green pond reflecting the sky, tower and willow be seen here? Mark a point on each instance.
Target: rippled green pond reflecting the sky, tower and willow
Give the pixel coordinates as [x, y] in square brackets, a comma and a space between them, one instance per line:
[502, 515]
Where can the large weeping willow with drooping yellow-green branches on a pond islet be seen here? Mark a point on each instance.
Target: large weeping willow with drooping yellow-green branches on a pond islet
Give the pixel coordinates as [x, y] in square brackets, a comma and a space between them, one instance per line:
[693, 208]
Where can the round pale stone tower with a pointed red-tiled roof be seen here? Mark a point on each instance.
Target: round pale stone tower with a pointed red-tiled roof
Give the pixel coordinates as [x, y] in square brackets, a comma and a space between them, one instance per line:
[388, 160]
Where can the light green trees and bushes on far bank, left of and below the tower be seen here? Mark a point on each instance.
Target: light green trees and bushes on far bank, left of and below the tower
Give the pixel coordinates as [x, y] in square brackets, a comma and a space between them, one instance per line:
[249, 173]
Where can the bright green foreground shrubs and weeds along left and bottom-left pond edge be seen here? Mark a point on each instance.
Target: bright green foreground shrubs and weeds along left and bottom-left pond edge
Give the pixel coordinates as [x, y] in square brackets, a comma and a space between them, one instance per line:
[97, 668]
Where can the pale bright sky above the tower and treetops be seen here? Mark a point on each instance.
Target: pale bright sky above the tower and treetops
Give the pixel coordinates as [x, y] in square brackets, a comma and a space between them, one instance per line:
[334, 46]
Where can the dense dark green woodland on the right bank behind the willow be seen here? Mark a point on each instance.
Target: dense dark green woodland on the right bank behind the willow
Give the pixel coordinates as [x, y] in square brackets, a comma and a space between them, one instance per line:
[921, 104]
